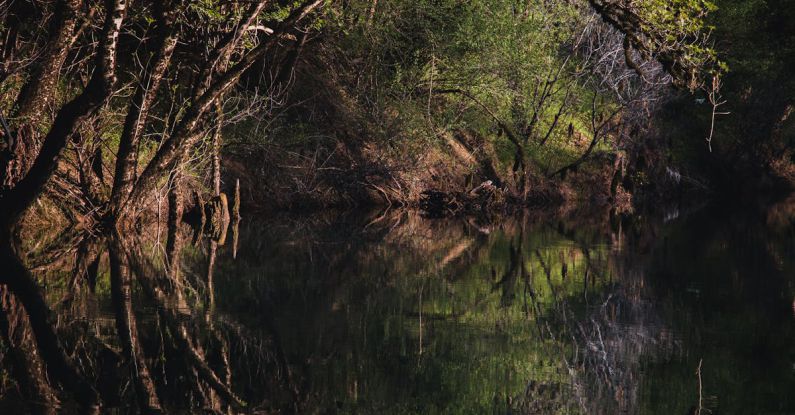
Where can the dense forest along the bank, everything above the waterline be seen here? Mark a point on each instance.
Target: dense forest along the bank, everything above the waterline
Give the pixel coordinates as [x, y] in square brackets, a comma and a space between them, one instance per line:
[109, 117]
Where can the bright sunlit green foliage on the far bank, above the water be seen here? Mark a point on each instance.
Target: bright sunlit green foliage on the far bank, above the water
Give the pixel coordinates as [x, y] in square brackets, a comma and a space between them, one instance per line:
[416, 55]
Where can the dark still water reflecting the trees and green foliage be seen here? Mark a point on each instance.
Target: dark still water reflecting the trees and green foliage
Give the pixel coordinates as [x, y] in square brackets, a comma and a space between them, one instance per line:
[393, 313]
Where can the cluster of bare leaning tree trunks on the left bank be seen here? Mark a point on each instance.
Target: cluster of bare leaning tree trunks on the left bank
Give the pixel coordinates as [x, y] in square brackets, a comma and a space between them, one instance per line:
[234, 37]
